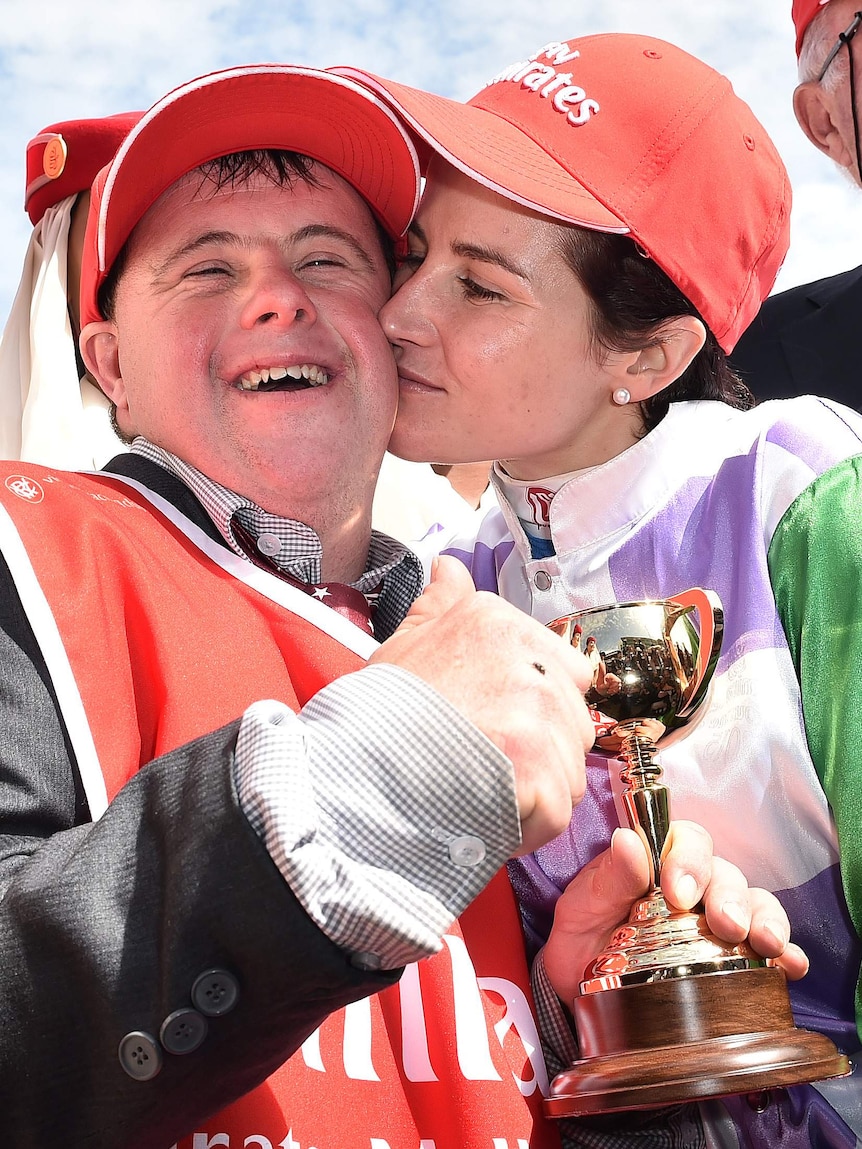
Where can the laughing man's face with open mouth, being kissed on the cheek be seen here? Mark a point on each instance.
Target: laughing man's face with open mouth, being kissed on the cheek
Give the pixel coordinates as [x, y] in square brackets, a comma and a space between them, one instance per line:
[245, 341]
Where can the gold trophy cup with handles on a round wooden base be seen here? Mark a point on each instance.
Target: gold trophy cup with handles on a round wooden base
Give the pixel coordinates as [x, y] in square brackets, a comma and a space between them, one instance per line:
[669, 1013]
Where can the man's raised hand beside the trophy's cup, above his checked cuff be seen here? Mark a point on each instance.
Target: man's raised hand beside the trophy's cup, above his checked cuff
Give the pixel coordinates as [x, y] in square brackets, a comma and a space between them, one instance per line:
[514, 680]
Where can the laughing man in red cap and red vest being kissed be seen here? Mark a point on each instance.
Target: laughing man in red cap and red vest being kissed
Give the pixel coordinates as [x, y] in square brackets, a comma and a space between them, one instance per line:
[194, 878]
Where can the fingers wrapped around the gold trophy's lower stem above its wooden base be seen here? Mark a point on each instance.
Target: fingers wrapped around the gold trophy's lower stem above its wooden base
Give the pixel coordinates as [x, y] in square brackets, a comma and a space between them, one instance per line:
[599, 899]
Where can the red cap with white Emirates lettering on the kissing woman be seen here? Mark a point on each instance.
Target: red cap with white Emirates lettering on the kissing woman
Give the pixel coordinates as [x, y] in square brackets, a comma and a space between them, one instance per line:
[632, 135]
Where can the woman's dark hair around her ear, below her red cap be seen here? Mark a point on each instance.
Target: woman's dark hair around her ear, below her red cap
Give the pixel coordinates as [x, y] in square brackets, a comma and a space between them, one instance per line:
[632, 299]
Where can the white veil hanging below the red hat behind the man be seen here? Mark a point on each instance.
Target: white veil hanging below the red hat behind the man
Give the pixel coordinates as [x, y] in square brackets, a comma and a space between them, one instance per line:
[48, 415]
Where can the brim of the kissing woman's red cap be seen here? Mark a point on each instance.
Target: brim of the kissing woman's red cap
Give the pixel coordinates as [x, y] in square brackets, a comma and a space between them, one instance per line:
[494, 152]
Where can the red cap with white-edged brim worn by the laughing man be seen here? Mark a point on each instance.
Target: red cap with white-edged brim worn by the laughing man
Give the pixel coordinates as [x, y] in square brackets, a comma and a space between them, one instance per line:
[325, 117]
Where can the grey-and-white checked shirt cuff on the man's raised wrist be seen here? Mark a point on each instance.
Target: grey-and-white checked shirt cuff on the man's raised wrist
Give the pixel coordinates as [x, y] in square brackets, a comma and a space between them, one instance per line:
[386, 809]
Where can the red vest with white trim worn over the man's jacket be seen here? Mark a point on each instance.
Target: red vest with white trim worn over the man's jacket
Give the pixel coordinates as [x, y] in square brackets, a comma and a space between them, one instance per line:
[153, 636]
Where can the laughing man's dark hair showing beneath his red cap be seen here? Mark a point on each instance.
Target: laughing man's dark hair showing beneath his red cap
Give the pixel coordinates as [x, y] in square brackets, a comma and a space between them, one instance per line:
[282, 168]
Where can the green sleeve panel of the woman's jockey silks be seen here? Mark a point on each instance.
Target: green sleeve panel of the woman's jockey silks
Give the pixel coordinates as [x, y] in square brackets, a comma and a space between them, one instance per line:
[815, 565]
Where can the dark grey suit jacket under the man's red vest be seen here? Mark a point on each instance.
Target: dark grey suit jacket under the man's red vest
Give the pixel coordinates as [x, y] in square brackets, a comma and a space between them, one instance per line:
[105, 927]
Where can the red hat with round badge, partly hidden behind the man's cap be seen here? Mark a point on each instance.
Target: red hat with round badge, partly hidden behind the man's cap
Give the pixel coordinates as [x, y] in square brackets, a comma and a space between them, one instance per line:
[64, 159]
